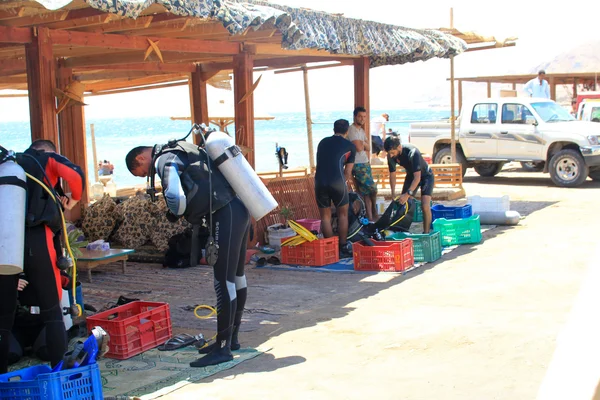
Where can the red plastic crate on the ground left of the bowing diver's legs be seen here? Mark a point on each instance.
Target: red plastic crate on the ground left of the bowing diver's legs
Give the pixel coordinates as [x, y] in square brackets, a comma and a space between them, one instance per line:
[134, 327]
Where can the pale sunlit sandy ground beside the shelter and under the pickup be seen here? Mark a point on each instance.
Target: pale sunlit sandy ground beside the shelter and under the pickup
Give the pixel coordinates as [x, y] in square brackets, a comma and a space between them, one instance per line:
[480, 324]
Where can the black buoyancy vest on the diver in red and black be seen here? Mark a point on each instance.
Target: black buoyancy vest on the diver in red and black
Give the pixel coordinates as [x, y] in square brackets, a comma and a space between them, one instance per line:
[41, 208]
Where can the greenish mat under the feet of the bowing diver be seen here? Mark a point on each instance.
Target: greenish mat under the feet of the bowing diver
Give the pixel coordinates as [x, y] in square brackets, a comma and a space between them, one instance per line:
[153, 373]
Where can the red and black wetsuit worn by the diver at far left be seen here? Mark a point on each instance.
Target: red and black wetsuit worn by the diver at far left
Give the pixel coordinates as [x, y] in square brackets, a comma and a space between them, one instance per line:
[42, 222]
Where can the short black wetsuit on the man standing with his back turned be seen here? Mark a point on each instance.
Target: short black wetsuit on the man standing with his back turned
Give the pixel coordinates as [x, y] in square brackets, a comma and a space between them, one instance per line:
[333, 154]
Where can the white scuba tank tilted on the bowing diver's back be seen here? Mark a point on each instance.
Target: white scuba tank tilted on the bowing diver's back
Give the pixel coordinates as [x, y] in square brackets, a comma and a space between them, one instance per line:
[228, 157]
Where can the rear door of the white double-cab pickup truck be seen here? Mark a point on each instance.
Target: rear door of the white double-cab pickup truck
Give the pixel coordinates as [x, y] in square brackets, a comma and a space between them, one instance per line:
[479, 135]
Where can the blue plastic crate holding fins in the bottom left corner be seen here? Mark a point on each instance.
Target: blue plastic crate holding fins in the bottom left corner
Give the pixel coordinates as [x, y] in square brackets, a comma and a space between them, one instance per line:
[40, 383]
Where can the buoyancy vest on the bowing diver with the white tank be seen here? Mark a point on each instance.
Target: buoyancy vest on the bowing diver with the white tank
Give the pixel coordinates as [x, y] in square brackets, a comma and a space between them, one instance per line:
[195, 182]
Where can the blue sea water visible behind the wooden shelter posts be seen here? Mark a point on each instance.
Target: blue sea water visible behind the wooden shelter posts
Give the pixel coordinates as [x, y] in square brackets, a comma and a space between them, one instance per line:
[115, 137]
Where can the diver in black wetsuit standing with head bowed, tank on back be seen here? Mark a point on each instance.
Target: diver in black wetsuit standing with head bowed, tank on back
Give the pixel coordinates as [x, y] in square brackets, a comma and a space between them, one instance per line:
[184, 173]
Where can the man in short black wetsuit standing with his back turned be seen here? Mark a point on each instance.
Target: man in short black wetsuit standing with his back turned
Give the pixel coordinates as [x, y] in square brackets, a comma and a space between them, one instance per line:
[335, 158]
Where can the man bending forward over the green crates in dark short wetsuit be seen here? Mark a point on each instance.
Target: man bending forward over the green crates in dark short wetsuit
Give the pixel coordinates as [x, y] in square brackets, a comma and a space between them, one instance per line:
[418, 174]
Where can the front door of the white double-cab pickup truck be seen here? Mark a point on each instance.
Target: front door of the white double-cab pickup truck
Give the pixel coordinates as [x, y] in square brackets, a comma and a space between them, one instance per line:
[518, 138]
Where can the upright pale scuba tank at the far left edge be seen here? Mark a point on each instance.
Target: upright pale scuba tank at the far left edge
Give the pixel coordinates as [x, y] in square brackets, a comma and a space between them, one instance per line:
[13, 195]
